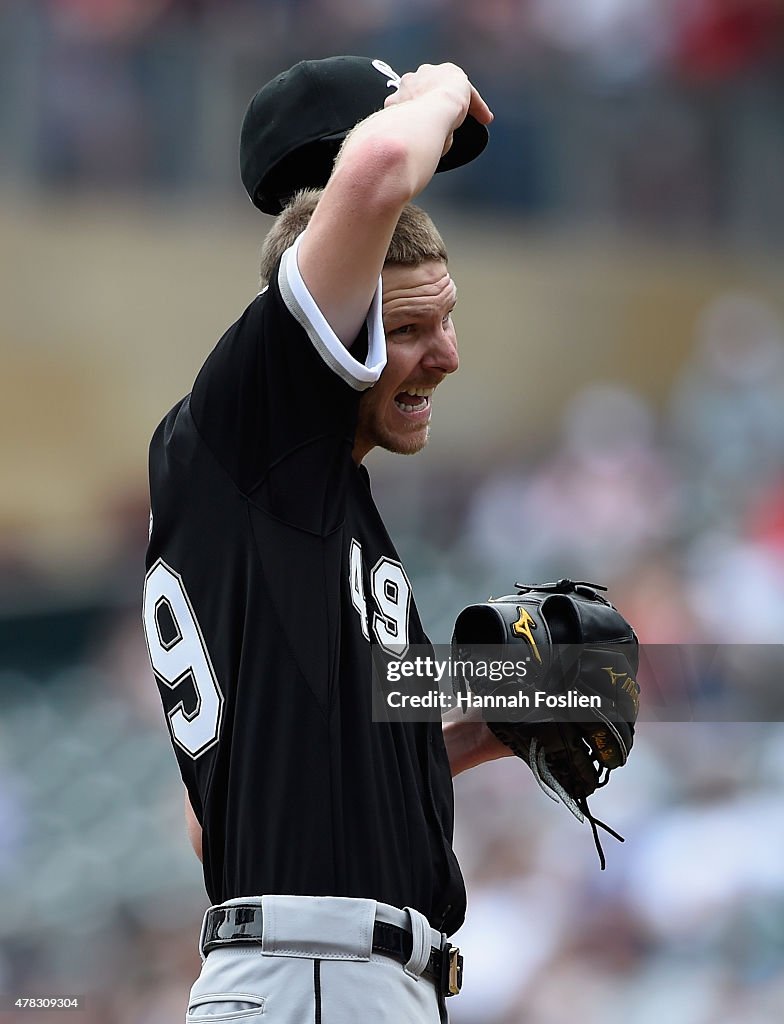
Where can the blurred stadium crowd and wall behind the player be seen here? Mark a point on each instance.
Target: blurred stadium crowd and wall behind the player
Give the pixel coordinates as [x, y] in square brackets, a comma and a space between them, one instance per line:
[620, 417]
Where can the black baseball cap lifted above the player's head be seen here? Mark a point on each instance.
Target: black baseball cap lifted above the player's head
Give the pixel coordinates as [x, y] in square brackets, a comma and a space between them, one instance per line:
[294, 126]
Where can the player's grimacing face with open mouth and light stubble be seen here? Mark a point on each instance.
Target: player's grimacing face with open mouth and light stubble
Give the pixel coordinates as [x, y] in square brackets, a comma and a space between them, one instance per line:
[422, 350]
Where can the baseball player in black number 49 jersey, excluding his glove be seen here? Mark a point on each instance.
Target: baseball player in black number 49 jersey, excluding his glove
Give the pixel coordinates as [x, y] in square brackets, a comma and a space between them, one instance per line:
[326, 838]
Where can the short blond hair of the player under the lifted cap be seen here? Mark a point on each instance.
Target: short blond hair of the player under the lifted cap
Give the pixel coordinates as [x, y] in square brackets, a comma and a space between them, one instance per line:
[416, 239]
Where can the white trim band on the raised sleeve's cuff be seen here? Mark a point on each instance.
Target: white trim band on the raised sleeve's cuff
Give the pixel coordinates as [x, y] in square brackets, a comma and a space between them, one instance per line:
[301, 306]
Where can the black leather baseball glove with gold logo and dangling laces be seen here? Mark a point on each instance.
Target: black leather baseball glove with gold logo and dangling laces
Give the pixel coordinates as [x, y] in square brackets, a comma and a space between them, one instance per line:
[570, 708]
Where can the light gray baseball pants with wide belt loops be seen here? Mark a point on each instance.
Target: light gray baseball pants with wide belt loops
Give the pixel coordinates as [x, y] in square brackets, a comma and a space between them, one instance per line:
[316, 966]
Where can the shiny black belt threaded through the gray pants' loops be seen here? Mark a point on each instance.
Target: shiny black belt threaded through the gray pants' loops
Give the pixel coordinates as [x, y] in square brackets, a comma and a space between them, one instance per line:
[242, 924]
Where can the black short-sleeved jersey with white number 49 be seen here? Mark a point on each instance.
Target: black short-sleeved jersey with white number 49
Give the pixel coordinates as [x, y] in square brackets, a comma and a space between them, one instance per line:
[270, 577]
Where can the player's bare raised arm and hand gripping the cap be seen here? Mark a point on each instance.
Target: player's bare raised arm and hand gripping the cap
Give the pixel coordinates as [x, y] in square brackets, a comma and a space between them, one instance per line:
[387, 160]
